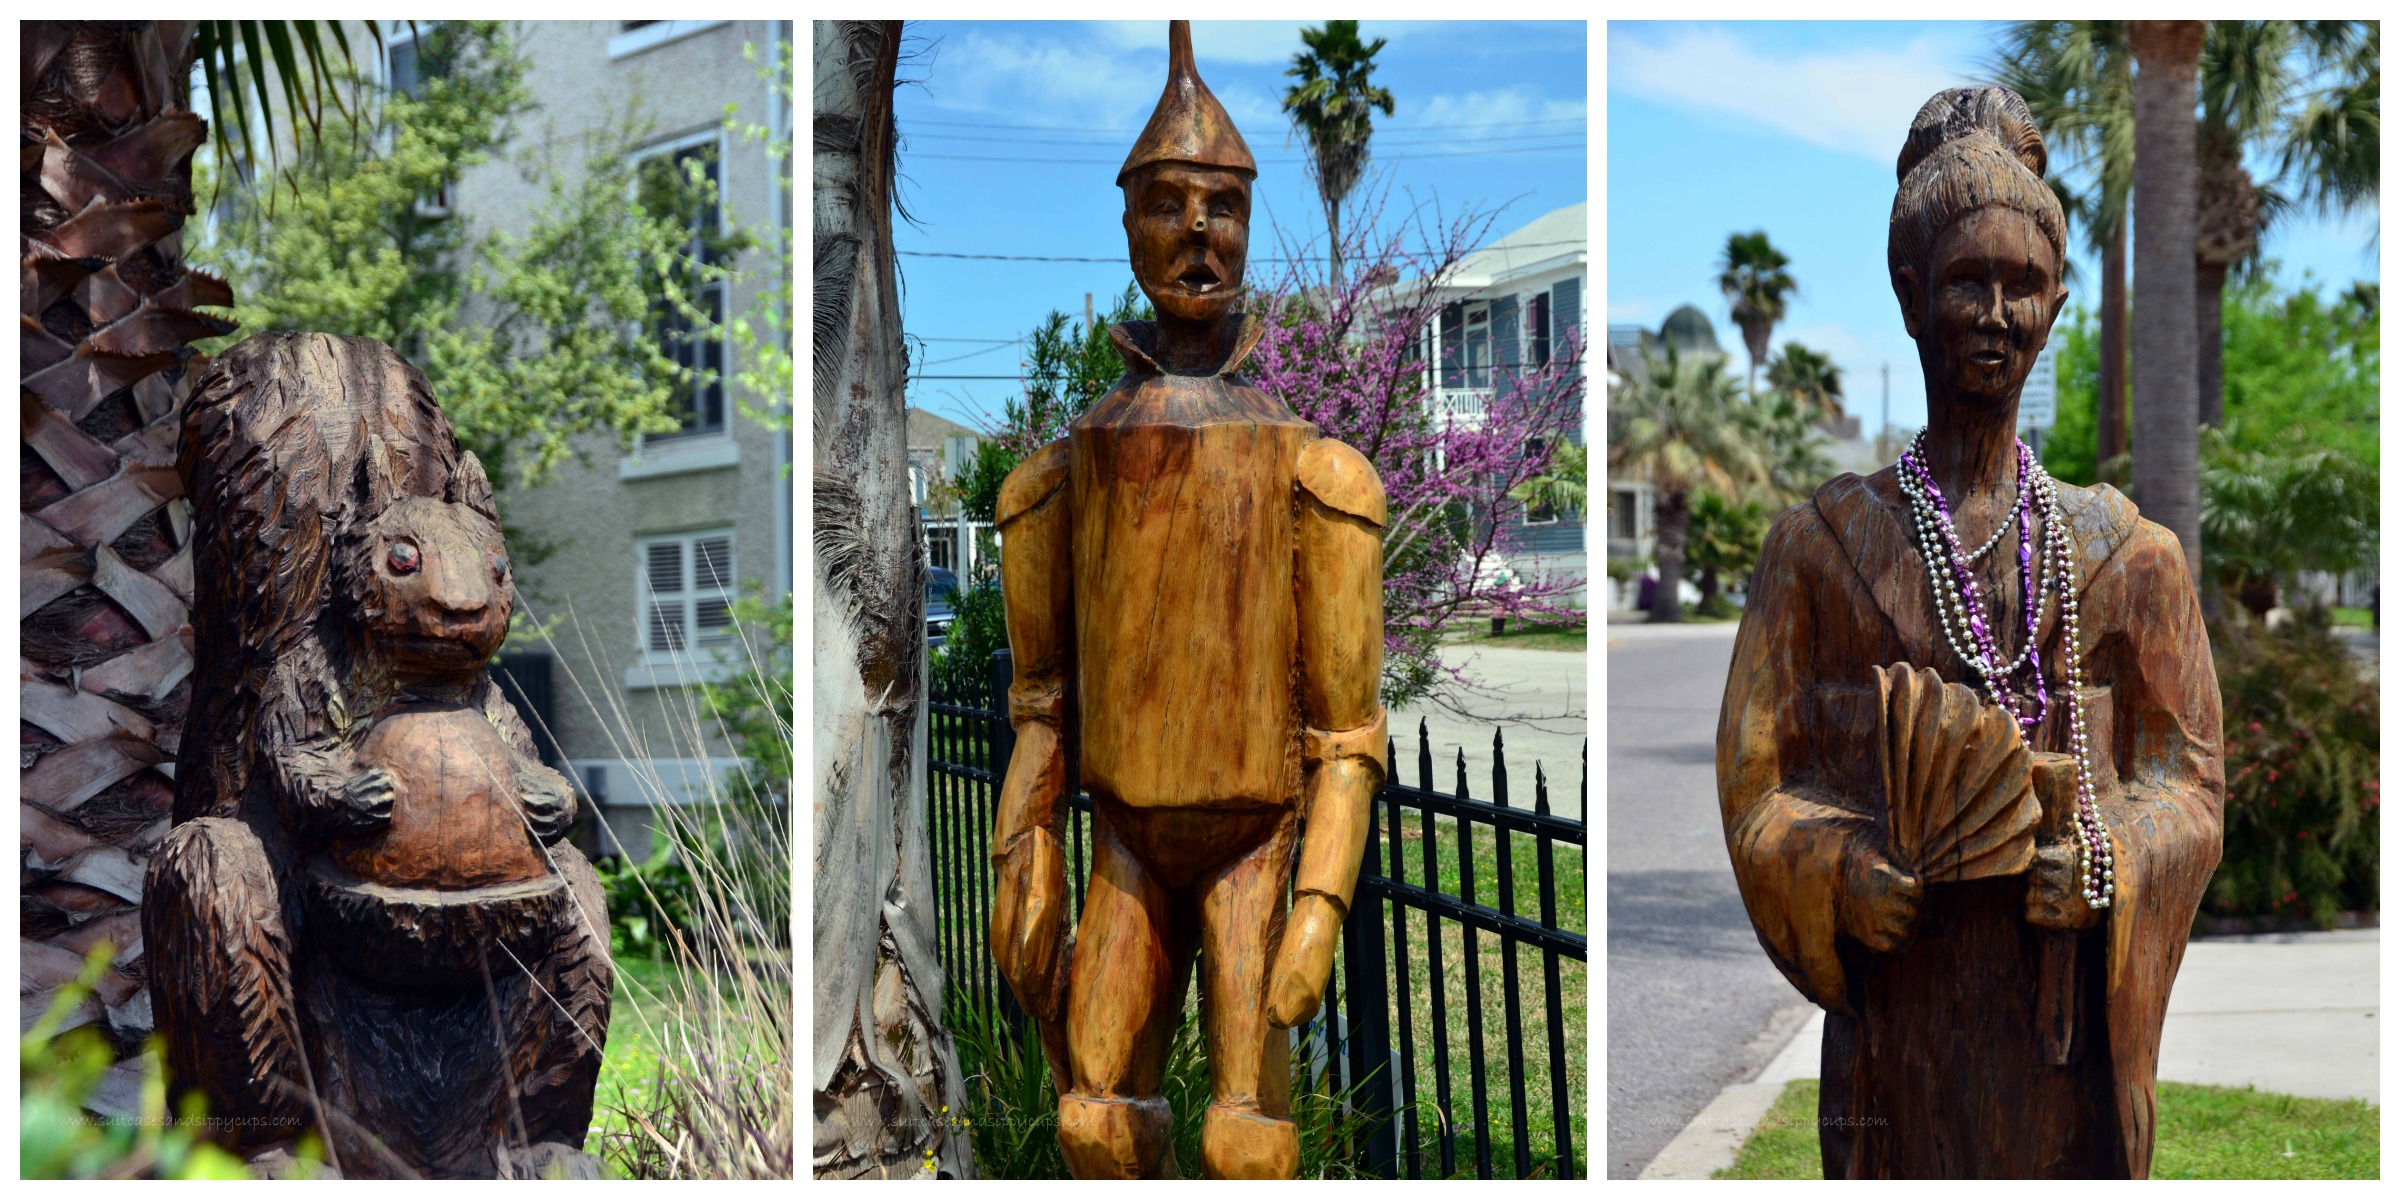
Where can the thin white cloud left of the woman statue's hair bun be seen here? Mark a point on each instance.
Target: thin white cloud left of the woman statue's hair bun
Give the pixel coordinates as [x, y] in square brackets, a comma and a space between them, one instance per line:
[1854, 102]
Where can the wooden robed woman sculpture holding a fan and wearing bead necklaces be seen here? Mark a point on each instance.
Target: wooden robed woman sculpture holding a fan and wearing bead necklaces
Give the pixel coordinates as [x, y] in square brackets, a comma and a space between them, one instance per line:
[1972, 752]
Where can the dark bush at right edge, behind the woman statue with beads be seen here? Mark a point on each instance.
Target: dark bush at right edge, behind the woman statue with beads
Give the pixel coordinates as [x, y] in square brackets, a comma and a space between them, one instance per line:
[2303, 793]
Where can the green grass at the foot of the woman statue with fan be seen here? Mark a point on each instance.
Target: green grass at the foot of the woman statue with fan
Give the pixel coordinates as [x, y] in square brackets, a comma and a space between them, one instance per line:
[2202, 1134]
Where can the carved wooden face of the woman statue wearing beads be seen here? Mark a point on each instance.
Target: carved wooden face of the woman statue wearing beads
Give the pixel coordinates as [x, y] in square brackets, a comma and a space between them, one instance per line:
[1988, 301]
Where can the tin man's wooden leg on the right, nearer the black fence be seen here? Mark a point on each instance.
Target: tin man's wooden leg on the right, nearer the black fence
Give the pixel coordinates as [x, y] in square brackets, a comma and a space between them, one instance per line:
[1247, 1132]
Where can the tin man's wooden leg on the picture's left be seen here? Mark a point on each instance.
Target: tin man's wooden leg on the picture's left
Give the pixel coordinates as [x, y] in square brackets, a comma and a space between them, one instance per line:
[1124, 1002]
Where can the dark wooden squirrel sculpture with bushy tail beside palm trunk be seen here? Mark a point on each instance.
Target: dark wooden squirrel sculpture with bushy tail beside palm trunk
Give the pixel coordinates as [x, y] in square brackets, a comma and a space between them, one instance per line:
[366, 923]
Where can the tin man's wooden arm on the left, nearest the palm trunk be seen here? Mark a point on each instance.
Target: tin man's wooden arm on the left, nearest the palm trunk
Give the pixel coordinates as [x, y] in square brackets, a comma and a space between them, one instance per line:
[1033, 906]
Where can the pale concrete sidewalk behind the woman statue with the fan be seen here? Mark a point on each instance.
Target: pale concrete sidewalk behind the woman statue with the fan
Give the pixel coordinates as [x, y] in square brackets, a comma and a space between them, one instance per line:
[2236, 1021]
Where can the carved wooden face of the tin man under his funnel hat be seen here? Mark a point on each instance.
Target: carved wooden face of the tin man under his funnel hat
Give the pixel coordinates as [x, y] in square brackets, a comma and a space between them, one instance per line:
[1189, 236]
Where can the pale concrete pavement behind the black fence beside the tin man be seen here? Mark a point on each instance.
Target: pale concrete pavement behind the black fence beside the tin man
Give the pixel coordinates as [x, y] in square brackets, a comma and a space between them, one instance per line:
[1540, 700]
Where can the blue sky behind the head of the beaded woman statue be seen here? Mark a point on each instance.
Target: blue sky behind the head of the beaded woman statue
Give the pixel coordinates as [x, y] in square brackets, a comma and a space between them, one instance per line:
[1794, 128]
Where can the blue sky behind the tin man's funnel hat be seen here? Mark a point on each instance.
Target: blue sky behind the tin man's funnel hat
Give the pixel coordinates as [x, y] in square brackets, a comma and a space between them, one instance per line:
[1489, 114]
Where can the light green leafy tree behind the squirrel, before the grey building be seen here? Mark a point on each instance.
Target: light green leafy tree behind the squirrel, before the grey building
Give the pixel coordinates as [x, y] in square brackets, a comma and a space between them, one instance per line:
[520, 335]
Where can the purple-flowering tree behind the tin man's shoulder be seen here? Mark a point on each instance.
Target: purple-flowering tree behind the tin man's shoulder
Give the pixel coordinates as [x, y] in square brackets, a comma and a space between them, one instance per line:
[1345, 352]
